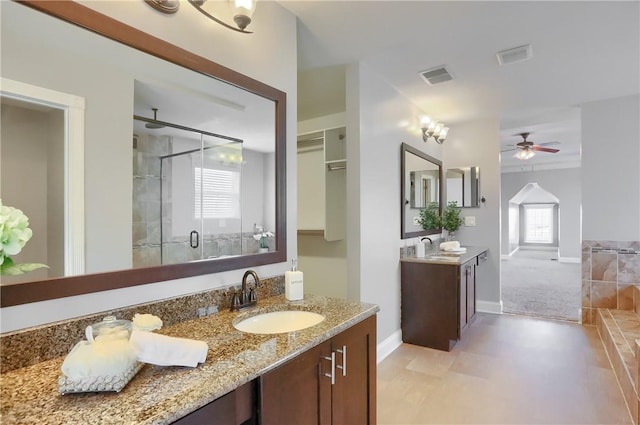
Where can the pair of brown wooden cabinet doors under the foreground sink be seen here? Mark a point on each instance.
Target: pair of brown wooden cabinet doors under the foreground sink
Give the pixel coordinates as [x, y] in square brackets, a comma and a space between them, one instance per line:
[301, 391]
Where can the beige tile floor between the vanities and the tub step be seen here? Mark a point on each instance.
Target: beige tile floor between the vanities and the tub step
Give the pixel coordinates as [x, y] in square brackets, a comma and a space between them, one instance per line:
[506, 370]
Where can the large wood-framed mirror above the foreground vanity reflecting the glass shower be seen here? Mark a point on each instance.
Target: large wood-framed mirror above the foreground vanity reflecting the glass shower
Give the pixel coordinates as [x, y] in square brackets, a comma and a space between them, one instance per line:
[183, 159]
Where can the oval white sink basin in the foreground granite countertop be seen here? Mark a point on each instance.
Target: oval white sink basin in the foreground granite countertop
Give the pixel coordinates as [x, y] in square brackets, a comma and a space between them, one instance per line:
[279, 322]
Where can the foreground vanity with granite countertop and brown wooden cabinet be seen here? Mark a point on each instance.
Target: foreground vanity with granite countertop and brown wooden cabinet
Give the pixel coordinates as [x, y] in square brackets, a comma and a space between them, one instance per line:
[328, 370]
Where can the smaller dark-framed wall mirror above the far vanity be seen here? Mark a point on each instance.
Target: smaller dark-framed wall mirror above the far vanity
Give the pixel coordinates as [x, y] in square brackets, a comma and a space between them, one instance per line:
[421, 184]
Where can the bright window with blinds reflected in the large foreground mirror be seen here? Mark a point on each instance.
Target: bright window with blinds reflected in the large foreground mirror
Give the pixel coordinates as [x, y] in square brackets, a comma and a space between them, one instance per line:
[218, 191]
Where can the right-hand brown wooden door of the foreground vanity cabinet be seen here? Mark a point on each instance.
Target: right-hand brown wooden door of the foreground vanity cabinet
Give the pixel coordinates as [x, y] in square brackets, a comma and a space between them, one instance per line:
[354, 393]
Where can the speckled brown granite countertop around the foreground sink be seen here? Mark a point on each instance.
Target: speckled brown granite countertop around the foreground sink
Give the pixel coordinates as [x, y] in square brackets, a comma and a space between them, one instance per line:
[161, 395]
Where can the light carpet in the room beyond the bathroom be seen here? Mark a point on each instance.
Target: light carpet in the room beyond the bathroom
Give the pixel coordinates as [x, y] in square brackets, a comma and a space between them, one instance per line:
[534, 283]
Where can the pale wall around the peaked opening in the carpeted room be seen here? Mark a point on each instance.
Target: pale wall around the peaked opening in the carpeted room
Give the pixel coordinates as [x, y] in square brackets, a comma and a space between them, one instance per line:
[564, 184]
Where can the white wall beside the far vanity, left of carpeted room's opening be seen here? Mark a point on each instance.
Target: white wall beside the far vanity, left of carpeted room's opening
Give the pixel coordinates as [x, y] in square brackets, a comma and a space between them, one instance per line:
[477, 143]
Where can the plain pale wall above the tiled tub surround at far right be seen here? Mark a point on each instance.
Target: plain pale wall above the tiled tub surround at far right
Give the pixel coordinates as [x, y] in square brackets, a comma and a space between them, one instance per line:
[610, 172]
